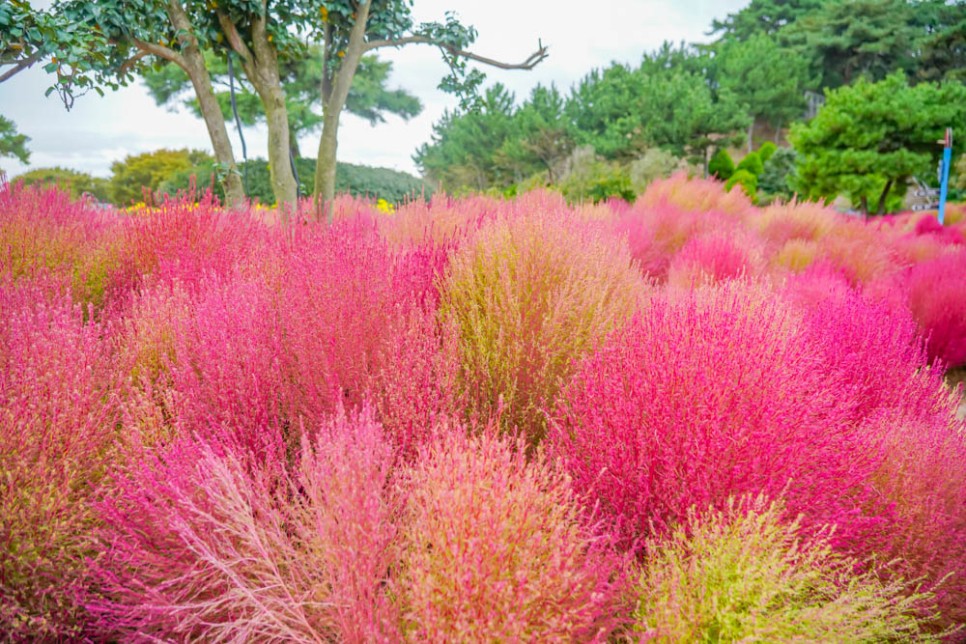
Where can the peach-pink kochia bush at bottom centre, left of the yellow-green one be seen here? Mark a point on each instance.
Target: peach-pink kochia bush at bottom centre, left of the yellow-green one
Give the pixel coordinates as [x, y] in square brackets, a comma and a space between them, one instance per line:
[499, 549]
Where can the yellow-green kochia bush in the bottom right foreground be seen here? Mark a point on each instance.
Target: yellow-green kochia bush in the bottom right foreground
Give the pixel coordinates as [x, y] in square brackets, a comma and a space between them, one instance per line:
[746, 573]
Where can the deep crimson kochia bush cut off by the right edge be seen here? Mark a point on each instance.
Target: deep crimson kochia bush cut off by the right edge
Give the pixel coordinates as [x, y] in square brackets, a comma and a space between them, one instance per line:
[937, 299]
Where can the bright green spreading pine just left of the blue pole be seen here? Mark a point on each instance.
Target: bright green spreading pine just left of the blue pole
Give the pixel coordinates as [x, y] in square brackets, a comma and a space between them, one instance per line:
[870, 138]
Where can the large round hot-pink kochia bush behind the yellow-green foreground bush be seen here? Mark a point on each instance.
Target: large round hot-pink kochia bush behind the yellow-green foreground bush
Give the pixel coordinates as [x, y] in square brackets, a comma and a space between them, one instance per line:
[707, 396]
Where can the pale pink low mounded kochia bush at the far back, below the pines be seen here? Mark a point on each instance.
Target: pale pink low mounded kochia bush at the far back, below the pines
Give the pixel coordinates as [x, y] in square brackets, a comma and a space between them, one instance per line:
[695, 195]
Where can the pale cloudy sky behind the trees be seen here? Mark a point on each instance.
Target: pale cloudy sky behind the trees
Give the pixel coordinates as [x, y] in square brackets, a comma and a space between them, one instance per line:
[581, 36]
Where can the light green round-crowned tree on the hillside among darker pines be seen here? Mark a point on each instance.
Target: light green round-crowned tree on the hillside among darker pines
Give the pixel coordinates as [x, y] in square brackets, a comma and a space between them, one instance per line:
[767, 78]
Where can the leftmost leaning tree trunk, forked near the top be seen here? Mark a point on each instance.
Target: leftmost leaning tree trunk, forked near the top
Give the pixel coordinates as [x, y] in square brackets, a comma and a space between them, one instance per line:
[192, 61]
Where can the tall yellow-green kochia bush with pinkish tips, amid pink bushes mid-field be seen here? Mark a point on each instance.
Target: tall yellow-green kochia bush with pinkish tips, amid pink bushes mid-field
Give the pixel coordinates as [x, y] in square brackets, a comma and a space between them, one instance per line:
[531, 294]
